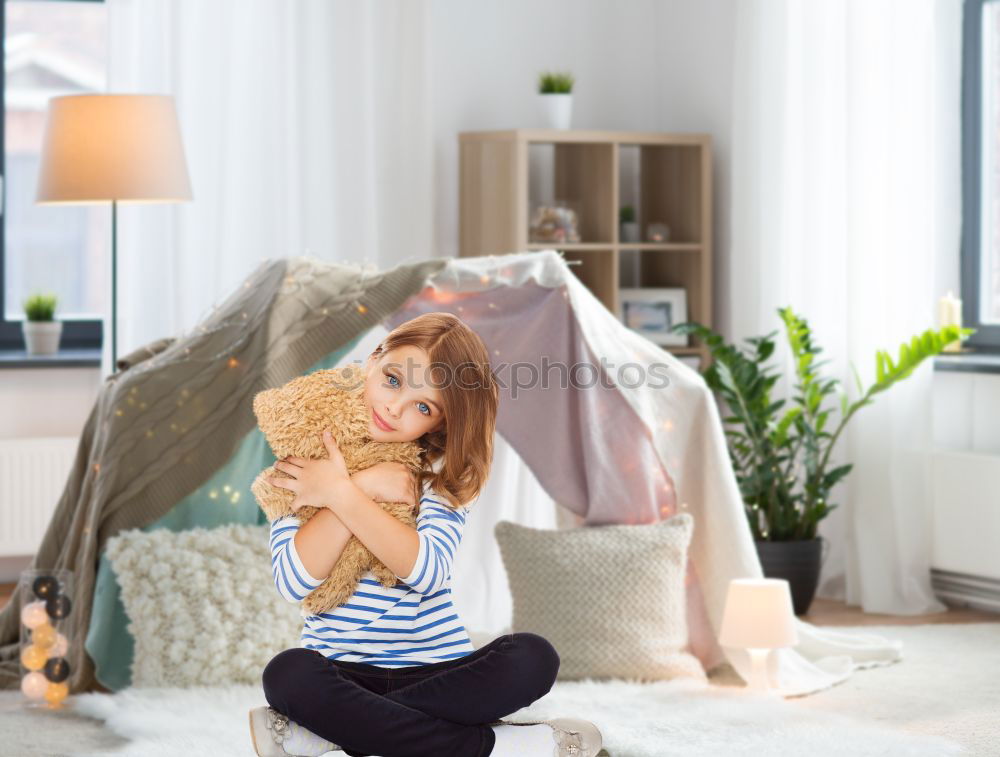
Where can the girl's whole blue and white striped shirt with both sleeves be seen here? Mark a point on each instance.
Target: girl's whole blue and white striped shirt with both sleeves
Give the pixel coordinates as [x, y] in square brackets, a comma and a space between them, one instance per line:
[412, 623]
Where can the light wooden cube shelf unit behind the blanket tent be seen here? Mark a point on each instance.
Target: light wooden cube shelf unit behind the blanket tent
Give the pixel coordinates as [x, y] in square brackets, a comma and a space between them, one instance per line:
[505, 176]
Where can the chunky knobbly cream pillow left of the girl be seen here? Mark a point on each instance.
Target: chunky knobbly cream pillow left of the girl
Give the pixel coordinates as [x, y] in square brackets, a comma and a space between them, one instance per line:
[202, 605]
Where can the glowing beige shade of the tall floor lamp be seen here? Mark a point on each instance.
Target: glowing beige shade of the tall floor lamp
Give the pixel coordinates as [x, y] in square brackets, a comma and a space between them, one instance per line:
[112, 147]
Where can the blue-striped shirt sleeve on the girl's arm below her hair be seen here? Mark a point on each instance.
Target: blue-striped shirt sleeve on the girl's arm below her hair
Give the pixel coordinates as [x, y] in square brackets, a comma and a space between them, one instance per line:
[439, 528]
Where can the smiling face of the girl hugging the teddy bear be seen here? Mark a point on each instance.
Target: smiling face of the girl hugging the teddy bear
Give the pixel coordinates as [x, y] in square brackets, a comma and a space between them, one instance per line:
[403, 404]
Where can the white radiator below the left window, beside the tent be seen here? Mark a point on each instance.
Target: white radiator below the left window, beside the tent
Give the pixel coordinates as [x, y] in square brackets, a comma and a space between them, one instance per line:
[33, 474]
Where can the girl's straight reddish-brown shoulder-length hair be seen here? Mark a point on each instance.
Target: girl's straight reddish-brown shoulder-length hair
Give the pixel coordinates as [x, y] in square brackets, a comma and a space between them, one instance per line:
[460, 370]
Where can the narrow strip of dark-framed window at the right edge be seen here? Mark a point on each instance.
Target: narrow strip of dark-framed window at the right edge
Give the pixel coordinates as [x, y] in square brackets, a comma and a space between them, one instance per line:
[981, 172]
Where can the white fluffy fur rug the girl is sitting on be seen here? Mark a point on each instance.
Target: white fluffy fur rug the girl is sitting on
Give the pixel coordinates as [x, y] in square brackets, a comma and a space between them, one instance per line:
[651, 720]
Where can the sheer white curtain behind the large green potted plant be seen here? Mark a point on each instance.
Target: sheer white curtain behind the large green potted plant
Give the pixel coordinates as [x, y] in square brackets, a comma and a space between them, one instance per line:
[845, 192]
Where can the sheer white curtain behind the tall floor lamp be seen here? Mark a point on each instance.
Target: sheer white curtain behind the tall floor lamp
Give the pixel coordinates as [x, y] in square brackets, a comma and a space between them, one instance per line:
[307, 131]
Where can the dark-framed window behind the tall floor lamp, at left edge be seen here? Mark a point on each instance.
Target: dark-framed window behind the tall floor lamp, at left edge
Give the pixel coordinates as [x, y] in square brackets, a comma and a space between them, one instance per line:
[52, 47]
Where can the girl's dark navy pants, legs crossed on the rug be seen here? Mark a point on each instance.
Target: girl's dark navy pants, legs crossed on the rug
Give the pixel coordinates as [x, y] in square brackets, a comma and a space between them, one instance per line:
[441, 708]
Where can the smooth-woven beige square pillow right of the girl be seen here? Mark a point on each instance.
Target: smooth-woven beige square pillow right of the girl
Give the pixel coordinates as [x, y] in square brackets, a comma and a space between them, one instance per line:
[610, 599]
